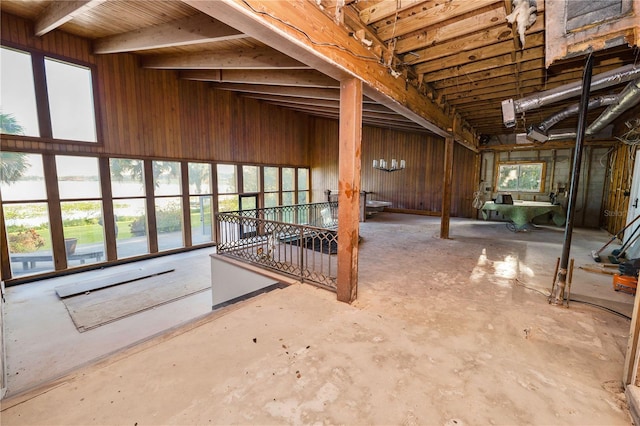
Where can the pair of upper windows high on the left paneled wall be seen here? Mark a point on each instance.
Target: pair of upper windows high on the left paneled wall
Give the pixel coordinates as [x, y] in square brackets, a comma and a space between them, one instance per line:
[67, 107]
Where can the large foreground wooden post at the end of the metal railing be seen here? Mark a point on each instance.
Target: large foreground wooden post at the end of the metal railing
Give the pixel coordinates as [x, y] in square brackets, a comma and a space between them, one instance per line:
[349, 188]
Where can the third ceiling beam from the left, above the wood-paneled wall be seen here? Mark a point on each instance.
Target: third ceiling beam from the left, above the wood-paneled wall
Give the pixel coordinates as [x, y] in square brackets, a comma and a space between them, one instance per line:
[258, 58]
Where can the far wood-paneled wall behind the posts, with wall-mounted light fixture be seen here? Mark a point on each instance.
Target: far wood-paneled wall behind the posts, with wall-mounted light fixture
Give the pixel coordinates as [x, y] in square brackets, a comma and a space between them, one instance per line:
[417, 189]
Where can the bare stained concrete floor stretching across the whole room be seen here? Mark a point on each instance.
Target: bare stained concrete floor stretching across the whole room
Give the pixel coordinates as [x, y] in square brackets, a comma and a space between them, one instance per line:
[448, 332]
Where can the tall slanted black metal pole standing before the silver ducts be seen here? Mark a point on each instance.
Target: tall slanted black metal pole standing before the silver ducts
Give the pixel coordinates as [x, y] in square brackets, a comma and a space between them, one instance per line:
[557, 296]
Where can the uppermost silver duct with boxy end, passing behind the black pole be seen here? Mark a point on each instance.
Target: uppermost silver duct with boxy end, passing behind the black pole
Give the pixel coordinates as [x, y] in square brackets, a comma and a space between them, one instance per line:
[620, 75]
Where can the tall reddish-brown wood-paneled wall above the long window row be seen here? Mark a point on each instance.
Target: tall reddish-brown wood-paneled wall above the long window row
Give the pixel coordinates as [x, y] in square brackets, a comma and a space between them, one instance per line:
[153, 114]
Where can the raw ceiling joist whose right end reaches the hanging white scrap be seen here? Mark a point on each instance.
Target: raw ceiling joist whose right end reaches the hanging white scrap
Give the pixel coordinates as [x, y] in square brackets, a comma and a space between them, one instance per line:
[445, 32]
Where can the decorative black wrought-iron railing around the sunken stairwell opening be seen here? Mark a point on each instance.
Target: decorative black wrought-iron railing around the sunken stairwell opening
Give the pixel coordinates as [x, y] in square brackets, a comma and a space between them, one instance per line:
[299, 240]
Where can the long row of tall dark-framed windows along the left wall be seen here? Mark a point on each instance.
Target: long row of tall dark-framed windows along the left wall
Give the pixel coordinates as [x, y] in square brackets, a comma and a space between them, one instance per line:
[60, 207]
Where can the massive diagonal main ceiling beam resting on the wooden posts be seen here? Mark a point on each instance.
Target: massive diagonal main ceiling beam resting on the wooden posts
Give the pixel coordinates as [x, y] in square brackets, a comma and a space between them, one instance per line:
[319, 42]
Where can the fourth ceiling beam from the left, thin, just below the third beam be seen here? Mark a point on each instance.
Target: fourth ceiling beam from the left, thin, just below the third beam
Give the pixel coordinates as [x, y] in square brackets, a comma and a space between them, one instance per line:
[294, 78]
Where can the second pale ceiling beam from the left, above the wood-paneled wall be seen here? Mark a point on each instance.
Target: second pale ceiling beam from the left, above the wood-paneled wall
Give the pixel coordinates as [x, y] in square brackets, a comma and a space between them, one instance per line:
[192, 30]
